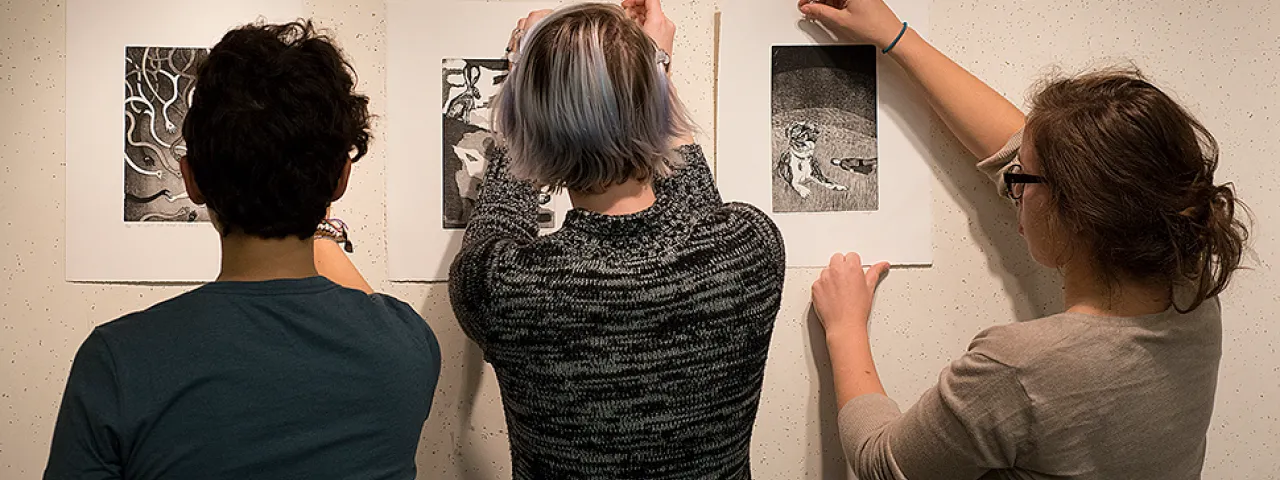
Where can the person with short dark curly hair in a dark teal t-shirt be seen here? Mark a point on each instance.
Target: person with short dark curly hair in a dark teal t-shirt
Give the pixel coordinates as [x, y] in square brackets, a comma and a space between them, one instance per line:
[289, 365]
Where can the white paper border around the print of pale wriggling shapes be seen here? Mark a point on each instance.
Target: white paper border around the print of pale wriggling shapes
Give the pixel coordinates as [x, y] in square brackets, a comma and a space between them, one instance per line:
[100, 245]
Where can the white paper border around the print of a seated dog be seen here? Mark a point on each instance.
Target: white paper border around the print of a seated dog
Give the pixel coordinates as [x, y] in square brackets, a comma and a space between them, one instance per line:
[900, 232]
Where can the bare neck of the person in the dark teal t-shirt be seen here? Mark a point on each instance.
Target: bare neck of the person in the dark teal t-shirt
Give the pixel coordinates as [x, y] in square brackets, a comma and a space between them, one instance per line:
[253, 259]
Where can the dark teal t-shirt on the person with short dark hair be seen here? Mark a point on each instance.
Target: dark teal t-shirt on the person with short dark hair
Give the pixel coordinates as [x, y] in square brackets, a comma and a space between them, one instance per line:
[281, 380]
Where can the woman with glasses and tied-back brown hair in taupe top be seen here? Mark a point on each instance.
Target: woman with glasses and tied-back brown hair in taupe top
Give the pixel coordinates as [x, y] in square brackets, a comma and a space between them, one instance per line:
[1116, 189]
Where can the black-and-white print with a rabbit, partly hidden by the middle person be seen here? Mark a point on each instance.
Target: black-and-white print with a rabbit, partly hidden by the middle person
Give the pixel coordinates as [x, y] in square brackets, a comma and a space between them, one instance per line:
[469, 92]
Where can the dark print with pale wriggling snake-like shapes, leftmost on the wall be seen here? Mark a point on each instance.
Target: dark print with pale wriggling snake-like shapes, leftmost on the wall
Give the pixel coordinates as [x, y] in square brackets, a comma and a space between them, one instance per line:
[158, 88]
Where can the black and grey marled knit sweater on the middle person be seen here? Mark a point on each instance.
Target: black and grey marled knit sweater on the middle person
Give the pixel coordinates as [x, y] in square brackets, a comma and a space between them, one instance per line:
[625, 346]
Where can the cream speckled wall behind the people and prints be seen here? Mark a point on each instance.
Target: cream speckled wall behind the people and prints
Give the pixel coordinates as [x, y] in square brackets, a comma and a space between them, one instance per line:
[1223, 60]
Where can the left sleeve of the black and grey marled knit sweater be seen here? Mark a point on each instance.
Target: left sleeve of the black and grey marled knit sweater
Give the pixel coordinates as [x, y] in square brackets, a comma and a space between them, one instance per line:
[506, 218]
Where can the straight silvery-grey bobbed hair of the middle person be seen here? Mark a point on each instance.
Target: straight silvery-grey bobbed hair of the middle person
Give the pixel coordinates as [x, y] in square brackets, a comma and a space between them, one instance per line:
[587, 106]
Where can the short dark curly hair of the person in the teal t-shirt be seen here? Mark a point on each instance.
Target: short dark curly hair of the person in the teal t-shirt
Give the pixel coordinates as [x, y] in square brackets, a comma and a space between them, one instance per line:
[273, 124]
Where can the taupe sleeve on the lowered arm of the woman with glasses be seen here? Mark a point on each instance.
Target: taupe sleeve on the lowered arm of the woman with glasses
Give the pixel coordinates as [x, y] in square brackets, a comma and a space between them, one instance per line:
[977, 419]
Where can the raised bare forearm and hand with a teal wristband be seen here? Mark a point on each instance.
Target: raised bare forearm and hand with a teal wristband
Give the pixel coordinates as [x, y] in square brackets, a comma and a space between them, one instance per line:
[981, 118]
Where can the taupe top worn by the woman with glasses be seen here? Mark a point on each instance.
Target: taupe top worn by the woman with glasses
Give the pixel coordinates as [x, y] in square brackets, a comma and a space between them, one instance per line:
[1063, 397]
